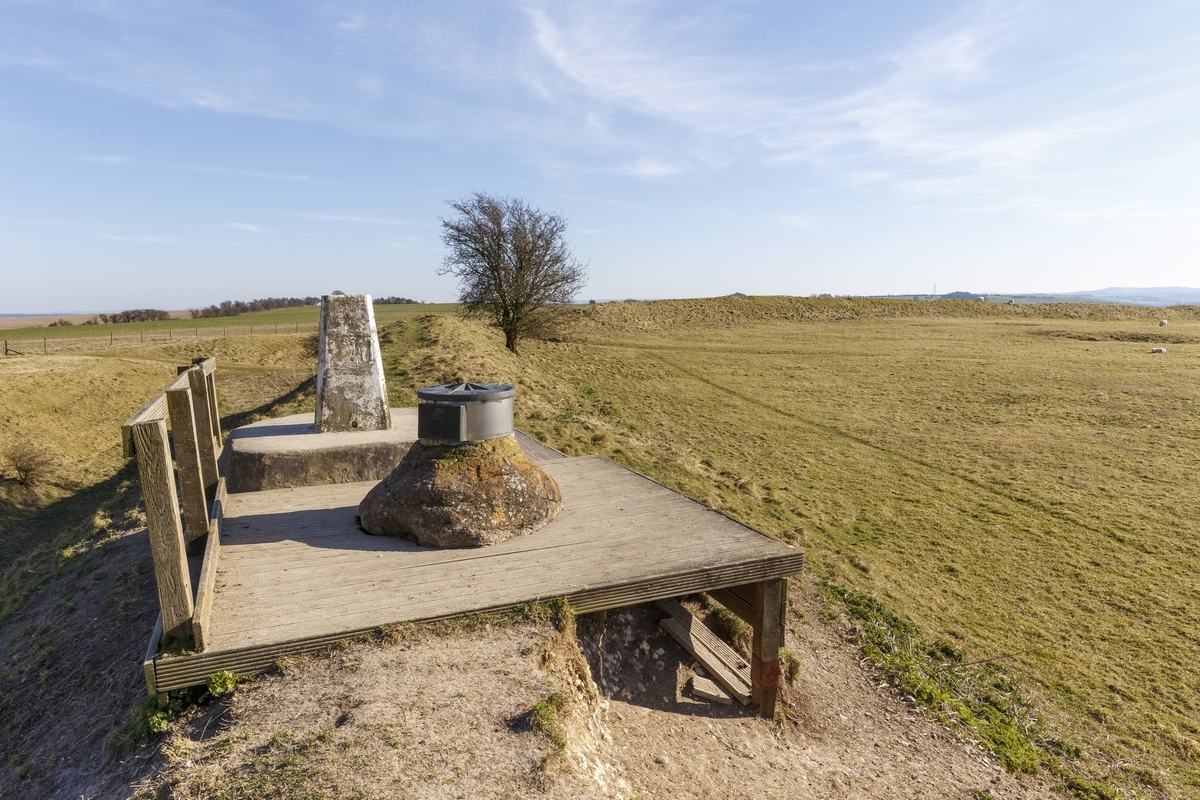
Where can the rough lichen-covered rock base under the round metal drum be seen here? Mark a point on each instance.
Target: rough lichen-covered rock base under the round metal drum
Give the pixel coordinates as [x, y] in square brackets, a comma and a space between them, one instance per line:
[463, 496]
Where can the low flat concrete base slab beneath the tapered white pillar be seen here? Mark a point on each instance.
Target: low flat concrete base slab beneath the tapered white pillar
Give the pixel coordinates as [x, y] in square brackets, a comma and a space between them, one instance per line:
[287, 453]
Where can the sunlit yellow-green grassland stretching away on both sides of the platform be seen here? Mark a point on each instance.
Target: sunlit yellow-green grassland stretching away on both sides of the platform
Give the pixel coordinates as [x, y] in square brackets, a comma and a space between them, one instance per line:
[1019, 482]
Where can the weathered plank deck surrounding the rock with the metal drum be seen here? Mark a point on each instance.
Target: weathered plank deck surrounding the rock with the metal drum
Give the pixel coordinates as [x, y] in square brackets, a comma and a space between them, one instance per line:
[296, 573]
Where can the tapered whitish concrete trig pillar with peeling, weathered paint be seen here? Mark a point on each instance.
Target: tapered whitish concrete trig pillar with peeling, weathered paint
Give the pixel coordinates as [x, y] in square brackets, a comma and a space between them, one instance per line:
[351, 392]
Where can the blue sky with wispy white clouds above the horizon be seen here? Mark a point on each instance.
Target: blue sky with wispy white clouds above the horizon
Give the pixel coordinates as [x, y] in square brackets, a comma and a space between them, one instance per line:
[177, 155]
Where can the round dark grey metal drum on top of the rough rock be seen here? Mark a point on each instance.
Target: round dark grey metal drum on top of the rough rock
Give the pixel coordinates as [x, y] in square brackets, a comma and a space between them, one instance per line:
[465, 413]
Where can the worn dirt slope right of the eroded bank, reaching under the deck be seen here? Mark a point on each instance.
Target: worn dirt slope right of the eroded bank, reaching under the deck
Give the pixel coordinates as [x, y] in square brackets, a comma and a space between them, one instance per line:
[849, 739]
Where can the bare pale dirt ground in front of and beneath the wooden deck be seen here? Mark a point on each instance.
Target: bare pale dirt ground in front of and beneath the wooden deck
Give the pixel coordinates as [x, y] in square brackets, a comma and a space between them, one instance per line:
[448, 717]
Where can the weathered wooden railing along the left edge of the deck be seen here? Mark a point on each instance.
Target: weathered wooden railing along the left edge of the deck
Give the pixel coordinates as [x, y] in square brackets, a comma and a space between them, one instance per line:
[190, 404]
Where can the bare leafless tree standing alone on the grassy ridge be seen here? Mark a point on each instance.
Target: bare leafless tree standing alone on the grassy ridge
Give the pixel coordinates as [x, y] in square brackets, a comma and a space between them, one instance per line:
[513, 263]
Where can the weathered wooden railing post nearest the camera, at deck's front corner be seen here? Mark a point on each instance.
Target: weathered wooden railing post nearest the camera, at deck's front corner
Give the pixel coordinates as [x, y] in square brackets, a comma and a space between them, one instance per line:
[167, 546]
